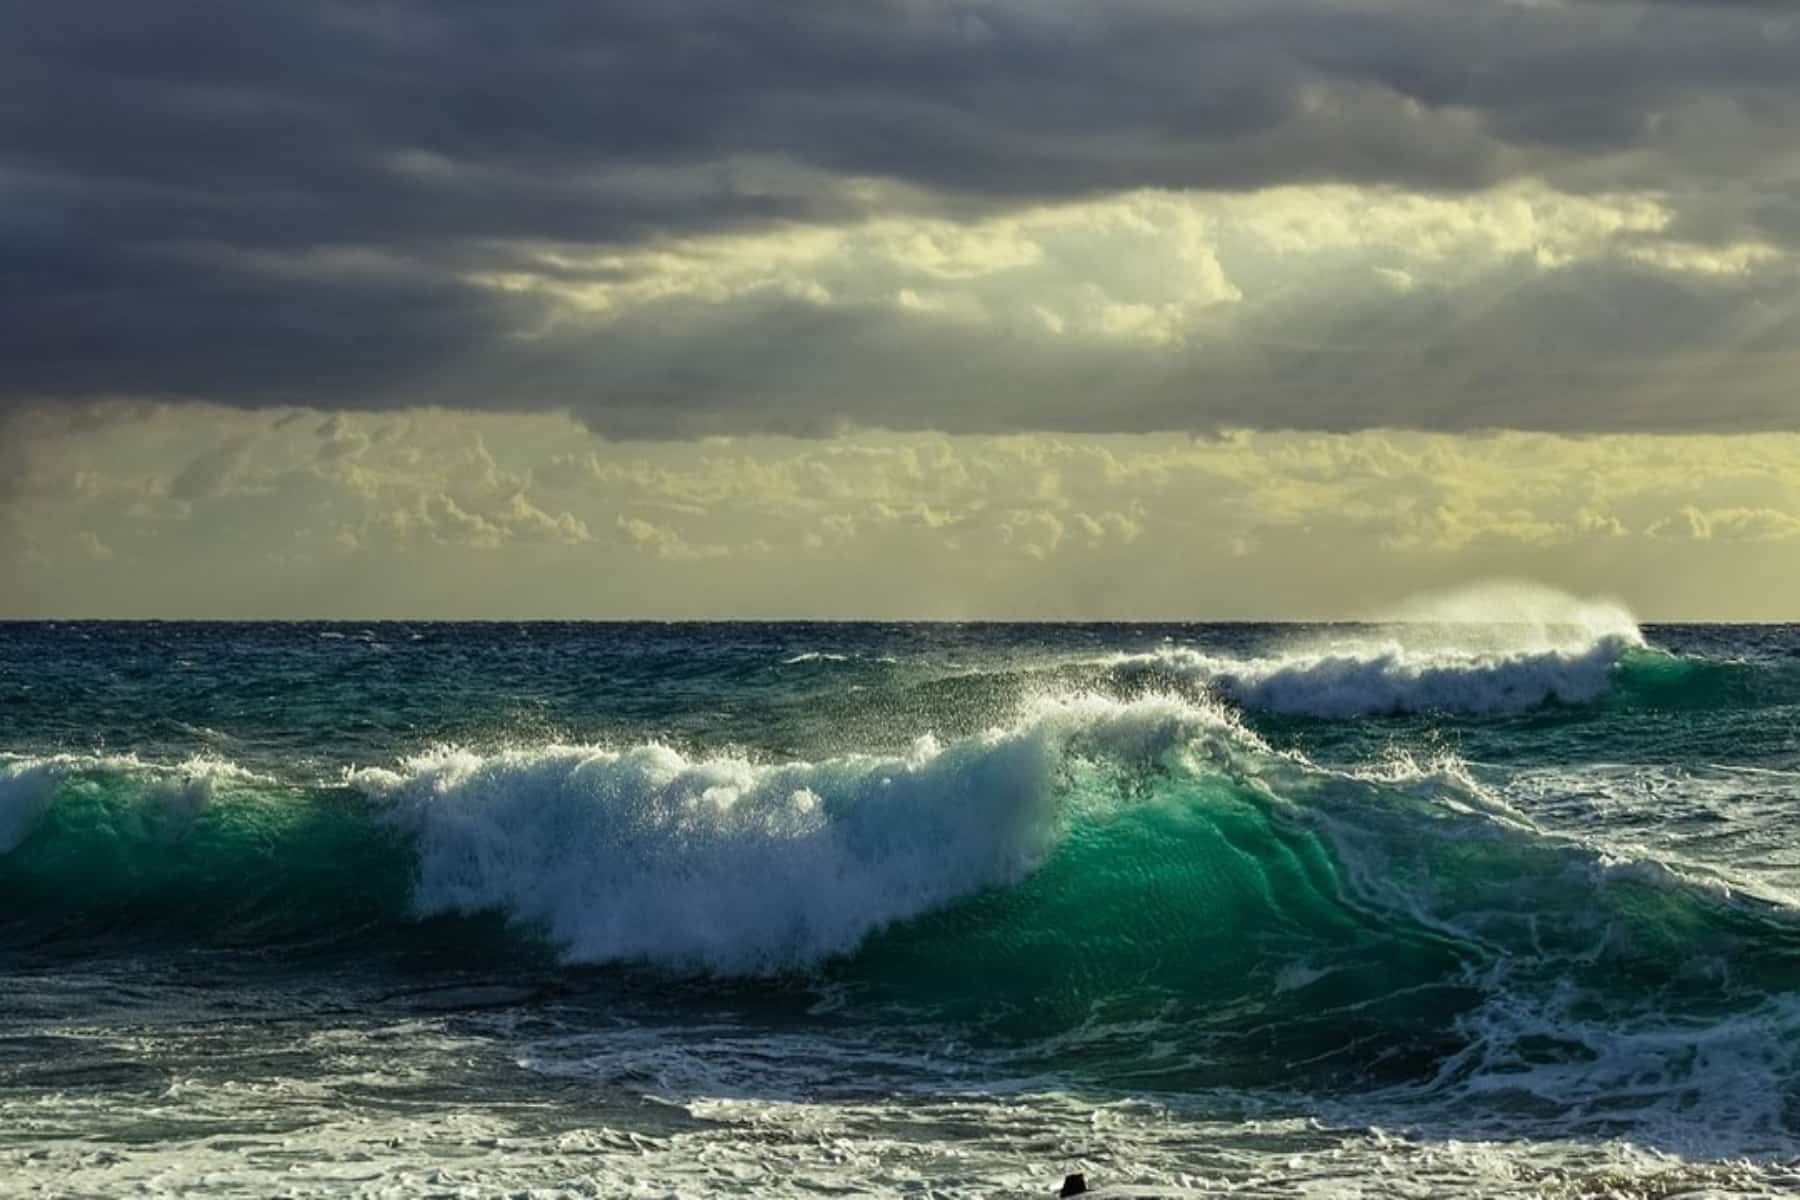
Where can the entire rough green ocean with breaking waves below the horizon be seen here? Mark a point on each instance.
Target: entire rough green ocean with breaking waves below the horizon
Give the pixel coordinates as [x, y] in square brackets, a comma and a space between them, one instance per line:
[1488, 902]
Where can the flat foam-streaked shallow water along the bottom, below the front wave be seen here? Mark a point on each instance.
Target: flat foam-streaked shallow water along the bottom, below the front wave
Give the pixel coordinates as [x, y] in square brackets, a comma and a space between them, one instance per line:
[757, 1113]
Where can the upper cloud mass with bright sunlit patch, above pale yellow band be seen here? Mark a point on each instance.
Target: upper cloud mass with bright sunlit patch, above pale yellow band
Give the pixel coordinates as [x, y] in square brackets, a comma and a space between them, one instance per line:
[991, 217]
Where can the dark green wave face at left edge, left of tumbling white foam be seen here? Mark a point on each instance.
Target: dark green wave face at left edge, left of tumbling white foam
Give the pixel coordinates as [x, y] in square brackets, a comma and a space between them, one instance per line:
[120, 857]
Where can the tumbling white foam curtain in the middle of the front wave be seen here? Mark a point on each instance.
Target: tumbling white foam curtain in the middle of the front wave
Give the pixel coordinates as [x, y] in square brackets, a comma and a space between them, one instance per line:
[737, 866]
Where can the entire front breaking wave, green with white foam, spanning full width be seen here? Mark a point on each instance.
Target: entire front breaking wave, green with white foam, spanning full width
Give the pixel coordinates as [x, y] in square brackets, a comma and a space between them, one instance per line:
[1066, 882]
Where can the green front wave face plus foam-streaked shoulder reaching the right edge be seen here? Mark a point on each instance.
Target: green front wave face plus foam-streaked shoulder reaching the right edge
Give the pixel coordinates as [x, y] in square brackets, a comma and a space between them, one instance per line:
[1324, 933]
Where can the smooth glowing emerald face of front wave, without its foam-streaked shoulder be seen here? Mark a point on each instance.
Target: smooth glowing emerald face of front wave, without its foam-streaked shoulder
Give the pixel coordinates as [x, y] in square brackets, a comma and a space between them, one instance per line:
[1203, 929]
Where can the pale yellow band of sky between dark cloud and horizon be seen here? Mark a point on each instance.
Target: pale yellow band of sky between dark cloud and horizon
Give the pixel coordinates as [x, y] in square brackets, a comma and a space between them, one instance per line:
[193, 512]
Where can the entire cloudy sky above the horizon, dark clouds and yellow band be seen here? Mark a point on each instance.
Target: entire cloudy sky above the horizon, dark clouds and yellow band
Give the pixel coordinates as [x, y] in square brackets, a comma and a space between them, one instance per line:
[897, 309]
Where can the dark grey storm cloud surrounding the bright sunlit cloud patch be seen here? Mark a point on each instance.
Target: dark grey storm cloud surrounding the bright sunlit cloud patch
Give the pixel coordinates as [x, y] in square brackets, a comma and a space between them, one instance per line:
[282, 202]
